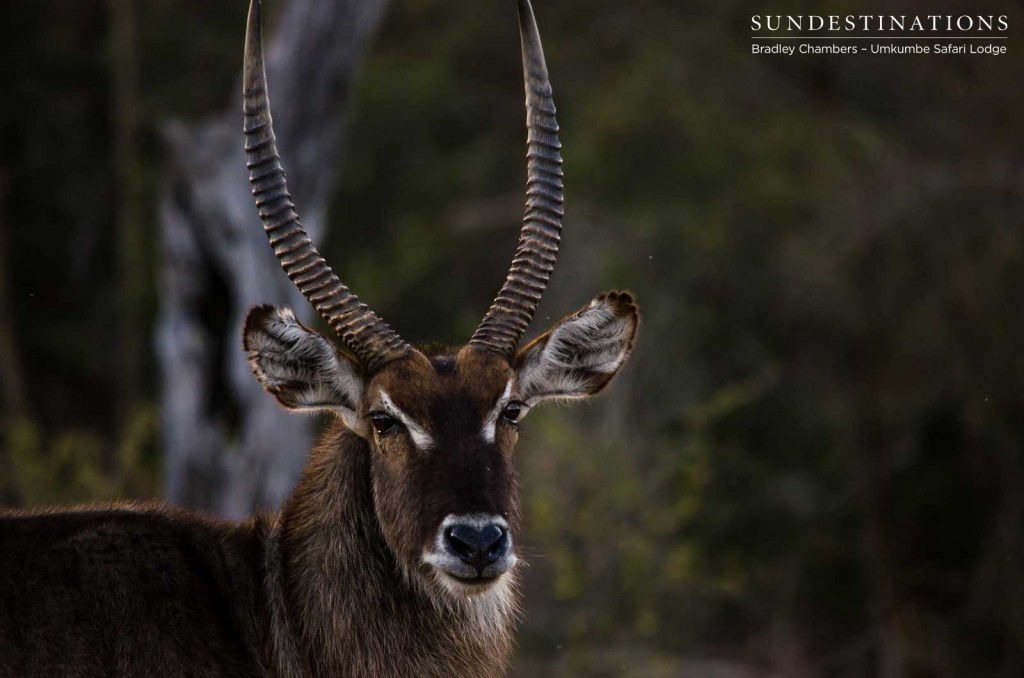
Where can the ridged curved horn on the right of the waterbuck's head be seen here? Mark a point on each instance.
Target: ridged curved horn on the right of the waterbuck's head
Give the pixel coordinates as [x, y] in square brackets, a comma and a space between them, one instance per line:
[513, 311]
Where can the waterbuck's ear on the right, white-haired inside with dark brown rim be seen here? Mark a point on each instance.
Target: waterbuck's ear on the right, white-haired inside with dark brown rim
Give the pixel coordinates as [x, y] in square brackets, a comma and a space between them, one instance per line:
[580, 356]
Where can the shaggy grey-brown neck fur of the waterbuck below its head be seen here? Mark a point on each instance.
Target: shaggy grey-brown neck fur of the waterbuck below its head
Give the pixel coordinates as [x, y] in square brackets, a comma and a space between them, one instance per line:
[342, 604]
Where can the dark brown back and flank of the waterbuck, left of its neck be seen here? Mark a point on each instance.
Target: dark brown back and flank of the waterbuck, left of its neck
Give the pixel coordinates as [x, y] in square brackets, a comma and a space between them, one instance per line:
[136, 590]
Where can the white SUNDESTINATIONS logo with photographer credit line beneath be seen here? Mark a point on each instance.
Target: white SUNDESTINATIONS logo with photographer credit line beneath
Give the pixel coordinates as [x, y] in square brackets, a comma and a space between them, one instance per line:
[879, 34]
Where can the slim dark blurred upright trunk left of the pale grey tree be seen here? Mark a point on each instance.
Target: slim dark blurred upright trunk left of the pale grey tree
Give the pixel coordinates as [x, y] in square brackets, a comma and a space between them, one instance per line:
[132, 242]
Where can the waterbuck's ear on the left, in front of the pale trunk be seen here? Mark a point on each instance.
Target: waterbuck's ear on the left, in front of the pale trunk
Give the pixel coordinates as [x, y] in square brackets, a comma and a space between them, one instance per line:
[301, 367]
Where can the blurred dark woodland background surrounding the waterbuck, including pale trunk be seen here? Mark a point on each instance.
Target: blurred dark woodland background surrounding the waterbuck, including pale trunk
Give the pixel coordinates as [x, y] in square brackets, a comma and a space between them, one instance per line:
[814, 464]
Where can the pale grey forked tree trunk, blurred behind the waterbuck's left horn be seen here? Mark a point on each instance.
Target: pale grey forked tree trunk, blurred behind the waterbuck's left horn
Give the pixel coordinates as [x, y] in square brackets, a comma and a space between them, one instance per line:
[229, 448]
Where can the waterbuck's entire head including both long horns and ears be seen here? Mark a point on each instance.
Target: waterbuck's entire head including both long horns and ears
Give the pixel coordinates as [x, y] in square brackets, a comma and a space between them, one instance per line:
[441, 427]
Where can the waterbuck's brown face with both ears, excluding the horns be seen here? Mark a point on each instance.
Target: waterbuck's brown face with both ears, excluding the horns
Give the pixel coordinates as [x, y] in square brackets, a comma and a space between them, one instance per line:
[443, 428]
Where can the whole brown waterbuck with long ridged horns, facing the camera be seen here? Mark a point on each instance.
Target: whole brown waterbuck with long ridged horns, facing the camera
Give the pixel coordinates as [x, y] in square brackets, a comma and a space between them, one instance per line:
[396, 556]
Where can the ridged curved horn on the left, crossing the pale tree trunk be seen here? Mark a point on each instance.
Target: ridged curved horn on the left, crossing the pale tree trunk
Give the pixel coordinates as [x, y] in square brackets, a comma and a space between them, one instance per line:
[373, 343]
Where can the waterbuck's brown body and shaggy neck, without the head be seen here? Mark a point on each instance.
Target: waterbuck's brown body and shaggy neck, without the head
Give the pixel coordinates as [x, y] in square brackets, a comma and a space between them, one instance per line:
[152, 591]
